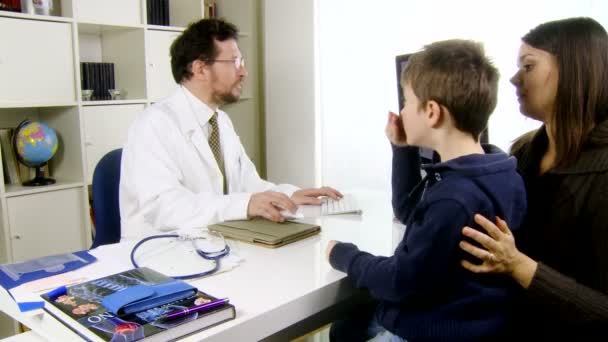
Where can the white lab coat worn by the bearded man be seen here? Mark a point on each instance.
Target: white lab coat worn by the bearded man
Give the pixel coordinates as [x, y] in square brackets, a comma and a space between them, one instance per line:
[169, 177]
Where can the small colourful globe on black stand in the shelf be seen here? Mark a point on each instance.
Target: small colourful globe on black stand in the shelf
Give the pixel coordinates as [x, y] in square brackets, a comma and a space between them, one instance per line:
[35, 144]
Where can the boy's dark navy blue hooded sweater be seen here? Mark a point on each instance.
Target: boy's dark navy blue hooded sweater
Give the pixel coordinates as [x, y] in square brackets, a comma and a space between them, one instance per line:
[424, 292]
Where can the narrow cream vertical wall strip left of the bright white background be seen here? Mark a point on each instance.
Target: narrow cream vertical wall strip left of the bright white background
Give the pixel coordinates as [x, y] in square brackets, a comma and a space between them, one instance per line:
[290, 100]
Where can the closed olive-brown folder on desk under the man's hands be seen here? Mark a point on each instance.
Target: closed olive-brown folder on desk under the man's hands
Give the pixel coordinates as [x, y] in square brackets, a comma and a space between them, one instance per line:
[266, 233]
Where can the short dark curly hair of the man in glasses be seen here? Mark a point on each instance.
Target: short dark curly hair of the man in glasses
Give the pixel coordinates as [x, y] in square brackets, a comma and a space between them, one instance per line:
[197, 42]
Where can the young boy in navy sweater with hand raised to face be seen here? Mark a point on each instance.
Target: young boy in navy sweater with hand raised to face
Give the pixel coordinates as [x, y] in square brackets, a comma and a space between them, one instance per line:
[423, 292]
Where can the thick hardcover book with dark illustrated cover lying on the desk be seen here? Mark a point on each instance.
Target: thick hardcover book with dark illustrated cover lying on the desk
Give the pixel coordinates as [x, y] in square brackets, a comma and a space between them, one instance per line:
[81, 308]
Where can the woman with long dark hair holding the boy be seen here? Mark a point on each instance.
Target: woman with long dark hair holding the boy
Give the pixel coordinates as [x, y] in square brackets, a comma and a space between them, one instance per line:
[561, 257]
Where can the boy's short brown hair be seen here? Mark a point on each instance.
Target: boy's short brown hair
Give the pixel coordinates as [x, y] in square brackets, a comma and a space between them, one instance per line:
[457, 75]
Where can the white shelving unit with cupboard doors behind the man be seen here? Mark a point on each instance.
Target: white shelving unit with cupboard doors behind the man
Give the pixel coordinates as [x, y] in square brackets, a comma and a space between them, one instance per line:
[40, 60]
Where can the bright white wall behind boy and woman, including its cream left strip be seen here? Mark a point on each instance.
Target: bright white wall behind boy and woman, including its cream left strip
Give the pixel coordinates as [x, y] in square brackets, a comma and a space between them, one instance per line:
[355, 42]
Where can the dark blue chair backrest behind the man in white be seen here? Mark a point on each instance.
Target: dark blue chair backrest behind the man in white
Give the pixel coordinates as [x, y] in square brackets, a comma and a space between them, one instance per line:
[106, 179]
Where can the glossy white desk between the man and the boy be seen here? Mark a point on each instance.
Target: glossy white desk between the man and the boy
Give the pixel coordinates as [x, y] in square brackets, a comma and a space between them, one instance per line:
[272, 289]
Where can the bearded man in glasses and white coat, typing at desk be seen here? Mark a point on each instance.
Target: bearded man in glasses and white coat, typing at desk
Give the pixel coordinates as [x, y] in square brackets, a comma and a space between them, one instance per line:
[183, 165]
